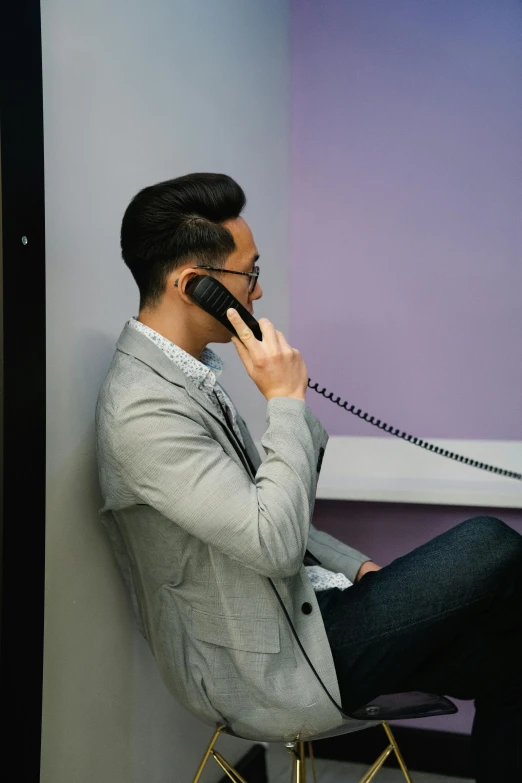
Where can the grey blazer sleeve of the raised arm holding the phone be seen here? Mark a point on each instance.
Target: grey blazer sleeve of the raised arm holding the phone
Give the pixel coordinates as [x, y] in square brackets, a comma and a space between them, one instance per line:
[171, 462]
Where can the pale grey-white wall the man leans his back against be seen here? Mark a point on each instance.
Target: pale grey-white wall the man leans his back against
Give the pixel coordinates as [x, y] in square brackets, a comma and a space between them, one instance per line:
[135, 93]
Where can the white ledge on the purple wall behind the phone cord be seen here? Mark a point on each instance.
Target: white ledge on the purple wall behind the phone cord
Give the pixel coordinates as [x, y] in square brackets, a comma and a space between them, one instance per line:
[387, 469]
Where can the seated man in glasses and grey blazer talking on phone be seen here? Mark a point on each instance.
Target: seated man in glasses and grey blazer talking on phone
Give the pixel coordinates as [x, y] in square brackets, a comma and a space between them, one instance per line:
[211, 539]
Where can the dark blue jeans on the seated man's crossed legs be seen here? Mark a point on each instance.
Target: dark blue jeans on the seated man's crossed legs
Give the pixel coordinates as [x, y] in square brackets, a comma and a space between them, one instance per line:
[445, 618]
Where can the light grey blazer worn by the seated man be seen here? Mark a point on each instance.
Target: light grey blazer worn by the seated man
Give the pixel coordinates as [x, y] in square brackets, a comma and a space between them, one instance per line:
[196, 534]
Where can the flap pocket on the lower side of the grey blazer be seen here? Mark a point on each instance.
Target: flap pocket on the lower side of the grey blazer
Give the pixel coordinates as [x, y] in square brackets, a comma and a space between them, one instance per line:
[251, 634]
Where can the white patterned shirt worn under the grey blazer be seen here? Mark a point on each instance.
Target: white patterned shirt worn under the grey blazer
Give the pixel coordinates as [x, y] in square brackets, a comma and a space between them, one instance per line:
[206, 371]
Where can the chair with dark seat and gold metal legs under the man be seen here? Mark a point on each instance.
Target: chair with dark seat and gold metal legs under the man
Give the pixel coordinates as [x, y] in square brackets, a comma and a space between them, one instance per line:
[413, 704]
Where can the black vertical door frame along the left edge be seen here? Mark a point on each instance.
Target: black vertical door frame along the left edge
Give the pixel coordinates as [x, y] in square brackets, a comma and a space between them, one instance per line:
[22, 379]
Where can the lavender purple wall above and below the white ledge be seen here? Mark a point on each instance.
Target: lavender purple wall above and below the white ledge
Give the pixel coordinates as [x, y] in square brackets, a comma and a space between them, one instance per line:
[406, 276]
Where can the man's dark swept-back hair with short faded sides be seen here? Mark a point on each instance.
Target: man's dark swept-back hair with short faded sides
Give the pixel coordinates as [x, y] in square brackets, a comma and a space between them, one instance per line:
[167, 224]
